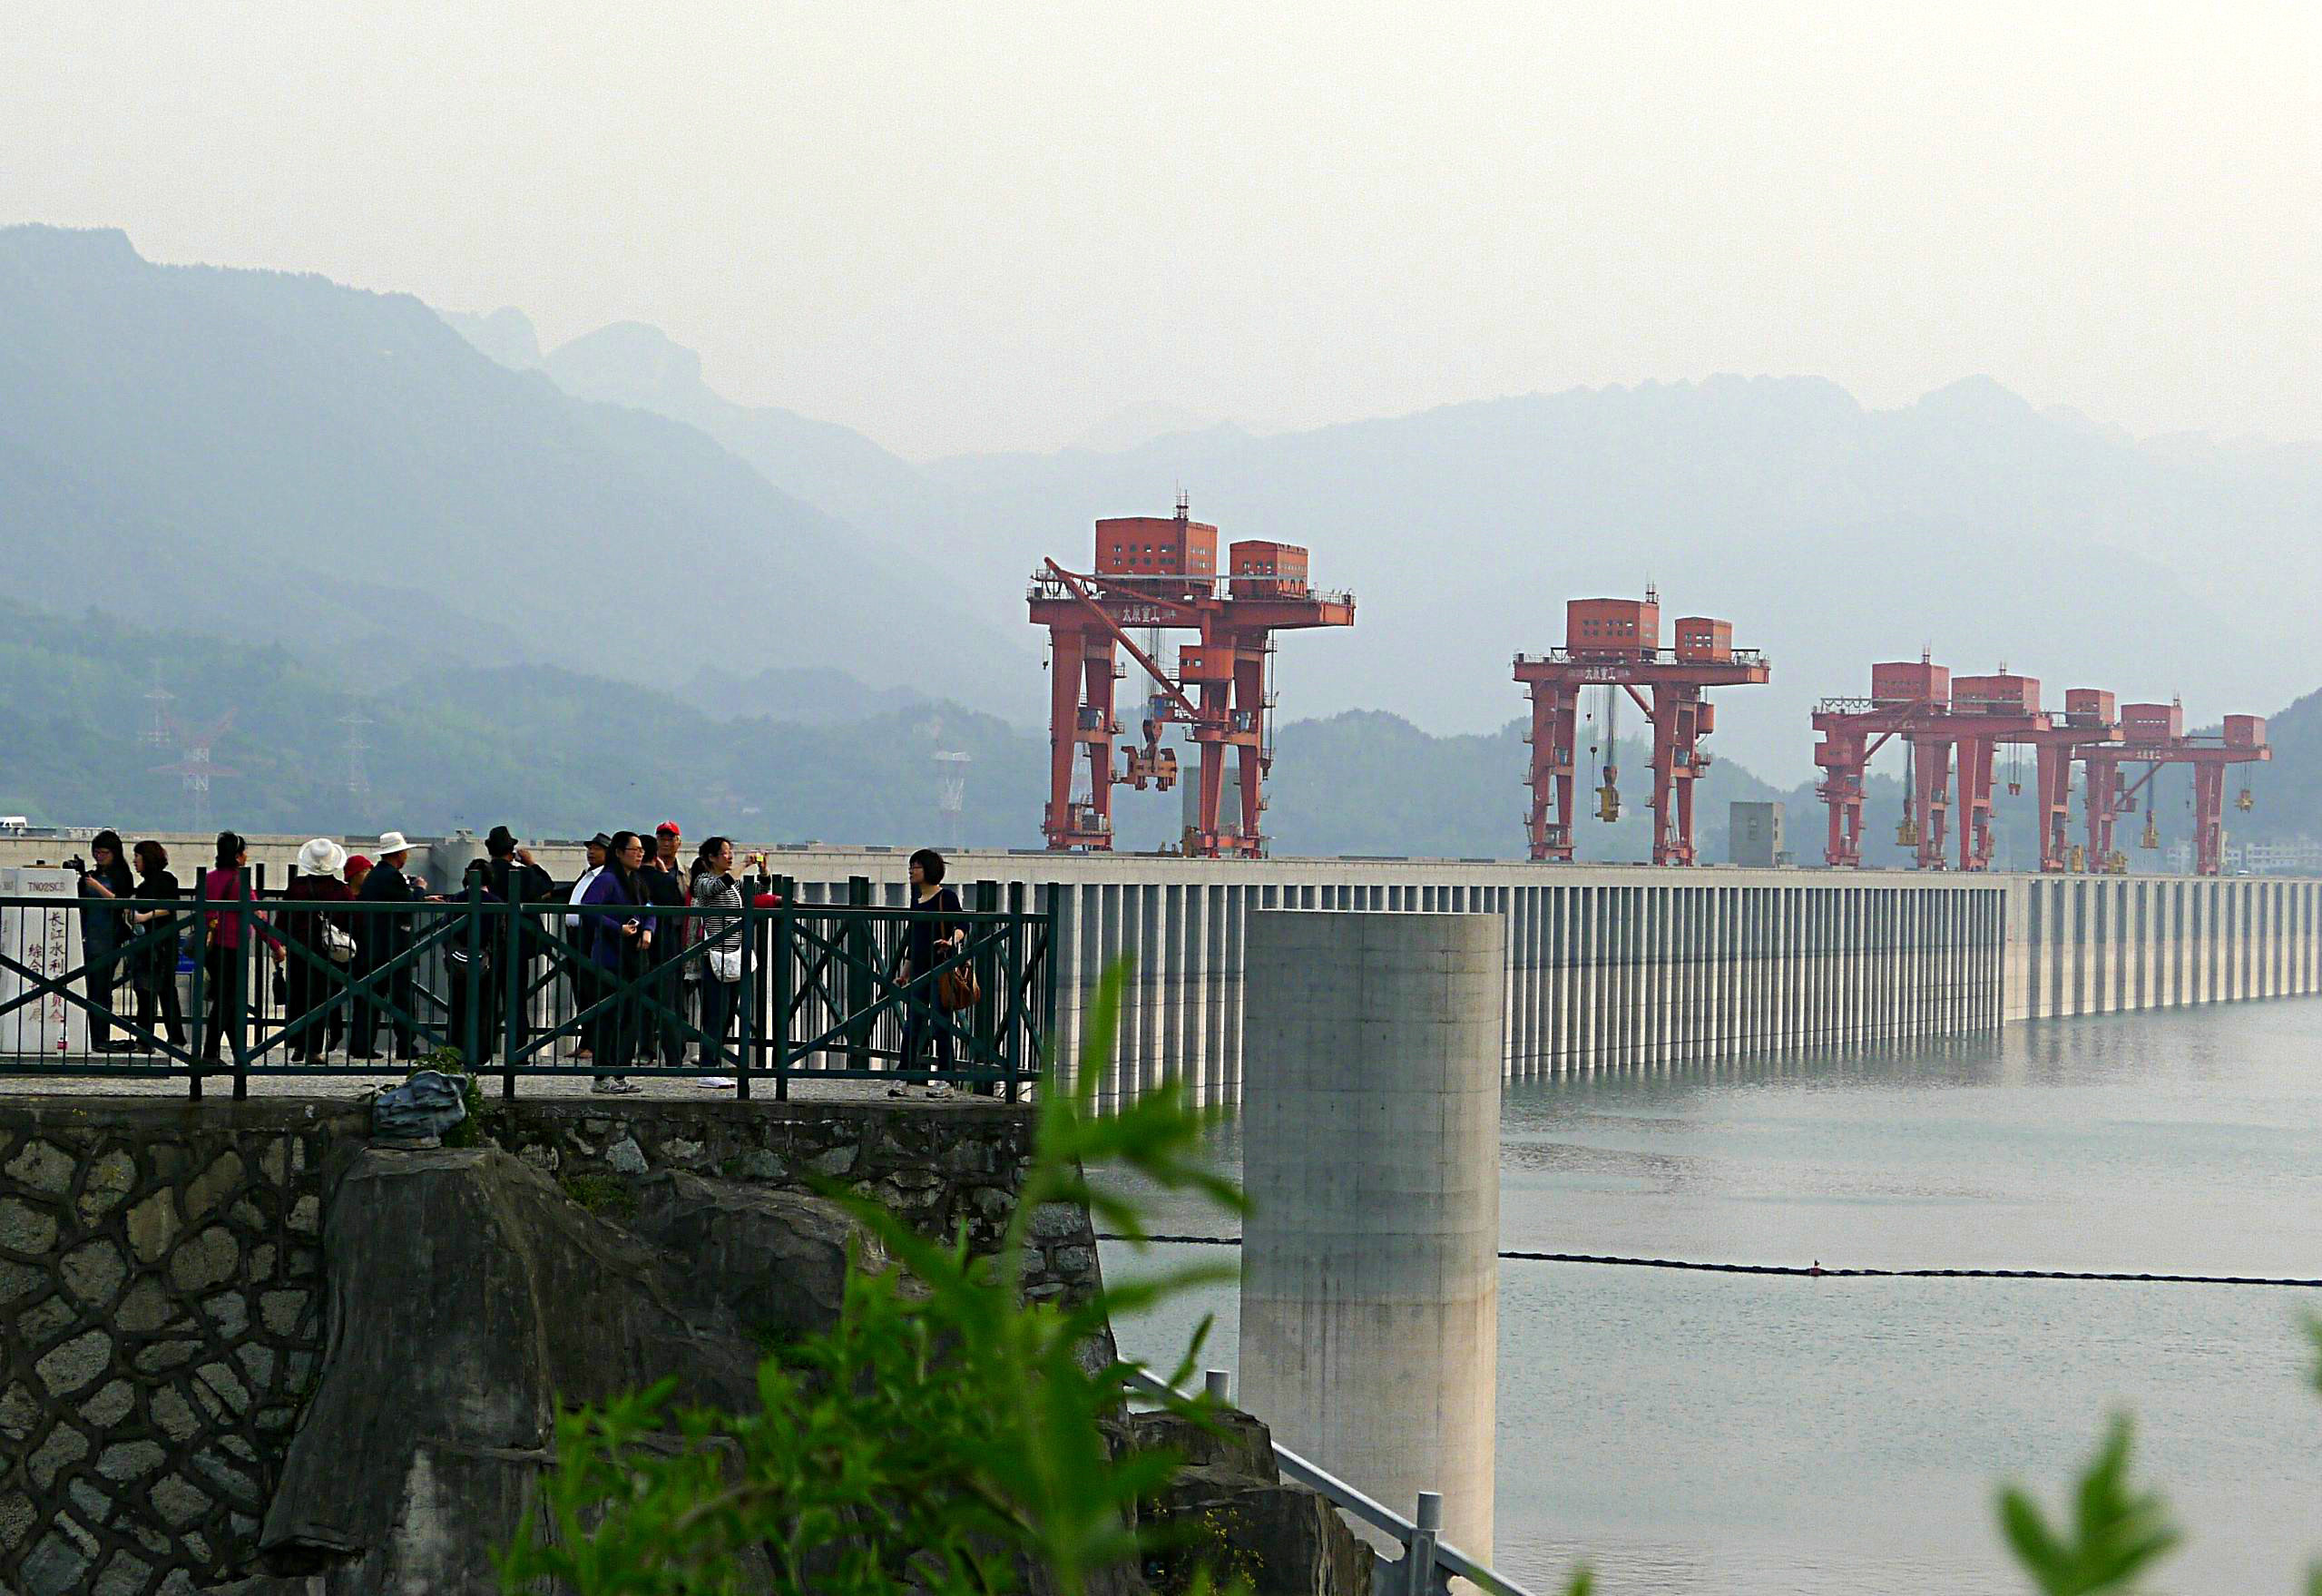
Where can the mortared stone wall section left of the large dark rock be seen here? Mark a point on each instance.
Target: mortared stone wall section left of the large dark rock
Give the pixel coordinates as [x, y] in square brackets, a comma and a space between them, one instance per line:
[161, 1288]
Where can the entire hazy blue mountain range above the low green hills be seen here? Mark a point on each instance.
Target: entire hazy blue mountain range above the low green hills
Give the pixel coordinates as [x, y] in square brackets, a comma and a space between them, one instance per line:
[421, 508]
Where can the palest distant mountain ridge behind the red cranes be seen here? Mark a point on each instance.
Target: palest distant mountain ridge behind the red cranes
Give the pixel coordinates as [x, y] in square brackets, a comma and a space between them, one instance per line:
[1829, 533]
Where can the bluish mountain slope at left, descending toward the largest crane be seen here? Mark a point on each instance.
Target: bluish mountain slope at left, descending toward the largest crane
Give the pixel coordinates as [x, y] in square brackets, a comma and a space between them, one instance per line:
[284, 459]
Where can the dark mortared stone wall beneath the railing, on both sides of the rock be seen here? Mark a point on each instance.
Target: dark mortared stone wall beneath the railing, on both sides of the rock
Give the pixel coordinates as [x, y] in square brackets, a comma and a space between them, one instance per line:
[164, 1286]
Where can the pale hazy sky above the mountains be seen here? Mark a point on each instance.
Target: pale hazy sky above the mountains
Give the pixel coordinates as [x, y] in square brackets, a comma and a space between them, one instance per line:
[990, 224]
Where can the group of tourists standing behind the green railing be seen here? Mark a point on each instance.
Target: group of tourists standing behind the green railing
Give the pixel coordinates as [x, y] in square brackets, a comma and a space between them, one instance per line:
[628, 951]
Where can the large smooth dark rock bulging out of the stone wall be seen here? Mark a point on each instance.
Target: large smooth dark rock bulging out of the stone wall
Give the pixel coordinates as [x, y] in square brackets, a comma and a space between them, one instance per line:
[468, 1302]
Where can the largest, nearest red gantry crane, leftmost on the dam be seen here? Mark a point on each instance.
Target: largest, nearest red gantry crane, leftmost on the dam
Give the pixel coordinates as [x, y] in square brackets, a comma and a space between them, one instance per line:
[1160, 575]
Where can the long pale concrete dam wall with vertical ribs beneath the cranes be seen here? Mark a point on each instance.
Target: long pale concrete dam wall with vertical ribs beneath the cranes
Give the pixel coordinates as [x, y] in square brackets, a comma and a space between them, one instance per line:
[1613, 968]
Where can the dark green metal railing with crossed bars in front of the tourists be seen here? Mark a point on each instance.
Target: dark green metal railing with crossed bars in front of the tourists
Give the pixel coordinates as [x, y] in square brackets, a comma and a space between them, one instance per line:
[254, 988]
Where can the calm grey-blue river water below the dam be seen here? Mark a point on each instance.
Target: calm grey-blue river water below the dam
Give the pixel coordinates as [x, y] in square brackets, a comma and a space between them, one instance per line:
[1845, 1437]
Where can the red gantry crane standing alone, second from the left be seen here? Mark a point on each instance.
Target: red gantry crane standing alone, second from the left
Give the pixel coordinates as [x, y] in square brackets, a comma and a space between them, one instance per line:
[1617, 645]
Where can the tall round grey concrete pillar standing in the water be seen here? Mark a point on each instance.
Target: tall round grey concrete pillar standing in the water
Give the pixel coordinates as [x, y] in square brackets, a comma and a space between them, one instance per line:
[1371, 1151]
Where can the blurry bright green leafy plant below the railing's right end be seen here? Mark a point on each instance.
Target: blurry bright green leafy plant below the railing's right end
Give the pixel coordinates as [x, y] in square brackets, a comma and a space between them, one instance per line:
[946, 1437]
